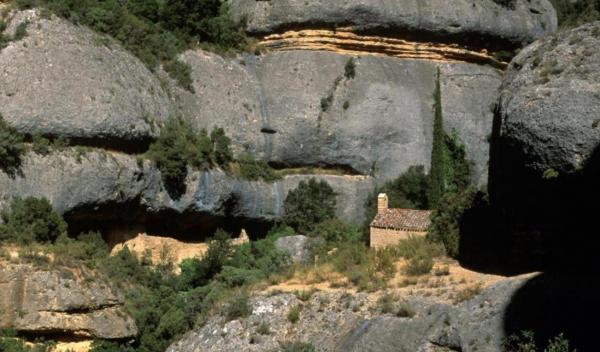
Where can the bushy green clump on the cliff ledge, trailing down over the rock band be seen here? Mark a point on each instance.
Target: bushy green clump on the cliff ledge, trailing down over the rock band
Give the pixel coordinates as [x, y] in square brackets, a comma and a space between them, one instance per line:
[178, 147]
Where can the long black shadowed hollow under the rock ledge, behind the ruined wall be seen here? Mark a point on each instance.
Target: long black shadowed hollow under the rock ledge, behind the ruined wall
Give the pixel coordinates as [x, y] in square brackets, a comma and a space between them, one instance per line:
[119, 222]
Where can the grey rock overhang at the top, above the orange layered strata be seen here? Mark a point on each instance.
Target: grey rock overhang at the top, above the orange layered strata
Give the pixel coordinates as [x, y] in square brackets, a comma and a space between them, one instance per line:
[521, 21]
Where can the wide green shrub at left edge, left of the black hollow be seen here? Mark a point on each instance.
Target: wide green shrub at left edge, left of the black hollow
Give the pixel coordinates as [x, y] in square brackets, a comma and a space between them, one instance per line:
[31, 220]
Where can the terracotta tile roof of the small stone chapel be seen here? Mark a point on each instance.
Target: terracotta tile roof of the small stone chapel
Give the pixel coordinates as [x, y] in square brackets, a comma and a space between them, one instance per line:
[403, 219]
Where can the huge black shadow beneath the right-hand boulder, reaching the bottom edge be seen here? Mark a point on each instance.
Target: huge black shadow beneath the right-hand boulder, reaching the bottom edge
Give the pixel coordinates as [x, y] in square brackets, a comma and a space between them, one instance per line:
[540, 221]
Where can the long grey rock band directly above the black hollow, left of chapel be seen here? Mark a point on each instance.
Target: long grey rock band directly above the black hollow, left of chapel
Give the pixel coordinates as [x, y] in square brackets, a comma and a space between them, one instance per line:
[72, 181]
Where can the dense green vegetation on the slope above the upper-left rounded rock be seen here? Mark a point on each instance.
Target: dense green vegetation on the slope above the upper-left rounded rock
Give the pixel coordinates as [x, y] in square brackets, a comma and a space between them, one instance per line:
[155, 31]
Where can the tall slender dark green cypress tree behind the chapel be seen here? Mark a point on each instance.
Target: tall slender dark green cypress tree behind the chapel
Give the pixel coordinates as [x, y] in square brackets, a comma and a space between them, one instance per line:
[436, 173]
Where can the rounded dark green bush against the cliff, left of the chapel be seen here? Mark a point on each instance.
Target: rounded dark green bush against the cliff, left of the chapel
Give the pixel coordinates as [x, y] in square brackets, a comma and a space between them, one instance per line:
[310, 203]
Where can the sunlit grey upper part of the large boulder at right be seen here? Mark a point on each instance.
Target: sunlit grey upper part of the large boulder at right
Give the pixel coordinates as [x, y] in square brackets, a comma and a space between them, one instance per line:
[550, 106]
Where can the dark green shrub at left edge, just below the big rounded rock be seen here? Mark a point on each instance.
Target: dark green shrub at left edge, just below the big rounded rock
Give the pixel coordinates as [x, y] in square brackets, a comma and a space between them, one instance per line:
[12, 148]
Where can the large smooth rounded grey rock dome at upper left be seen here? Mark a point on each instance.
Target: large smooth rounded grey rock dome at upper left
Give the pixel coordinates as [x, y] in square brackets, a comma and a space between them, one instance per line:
[65, 80]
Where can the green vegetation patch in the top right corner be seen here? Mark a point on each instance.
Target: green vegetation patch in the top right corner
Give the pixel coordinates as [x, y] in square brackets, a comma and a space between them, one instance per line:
[574, 13]
